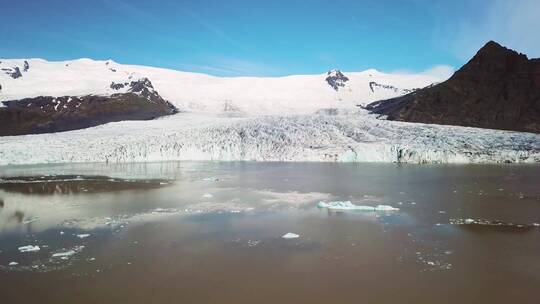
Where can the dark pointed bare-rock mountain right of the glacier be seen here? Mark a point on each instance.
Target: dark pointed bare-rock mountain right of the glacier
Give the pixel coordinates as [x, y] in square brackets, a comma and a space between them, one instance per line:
[498, 89]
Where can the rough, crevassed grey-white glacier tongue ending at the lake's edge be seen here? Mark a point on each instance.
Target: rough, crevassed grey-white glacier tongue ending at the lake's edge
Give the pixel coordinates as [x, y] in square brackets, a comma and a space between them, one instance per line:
[348, 137]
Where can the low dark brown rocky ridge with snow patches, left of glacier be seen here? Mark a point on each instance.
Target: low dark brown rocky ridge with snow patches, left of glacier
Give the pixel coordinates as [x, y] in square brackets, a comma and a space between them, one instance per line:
[44, 114]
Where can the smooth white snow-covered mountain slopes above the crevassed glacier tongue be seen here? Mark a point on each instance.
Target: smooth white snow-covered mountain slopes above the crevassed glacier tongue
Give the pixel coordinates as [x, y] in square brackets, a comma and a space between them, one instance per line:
[299, 94]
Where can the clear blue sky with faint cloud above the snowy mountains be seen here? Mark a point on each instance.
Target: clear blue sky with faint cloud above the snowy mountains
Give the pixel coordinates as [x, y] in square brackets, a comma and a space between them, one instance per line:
[268, 38]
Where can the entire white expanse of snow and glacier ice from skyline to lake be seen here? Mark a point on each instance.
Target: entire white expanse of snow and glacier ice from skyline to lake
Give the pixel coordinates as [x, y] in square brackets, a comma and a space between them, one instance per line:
[293, 118]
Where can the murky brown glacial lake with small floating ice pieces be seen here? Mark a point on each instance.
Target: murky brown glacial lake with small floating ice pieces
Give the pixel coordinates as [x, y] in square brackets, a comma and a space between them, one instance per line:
[212, 232]
